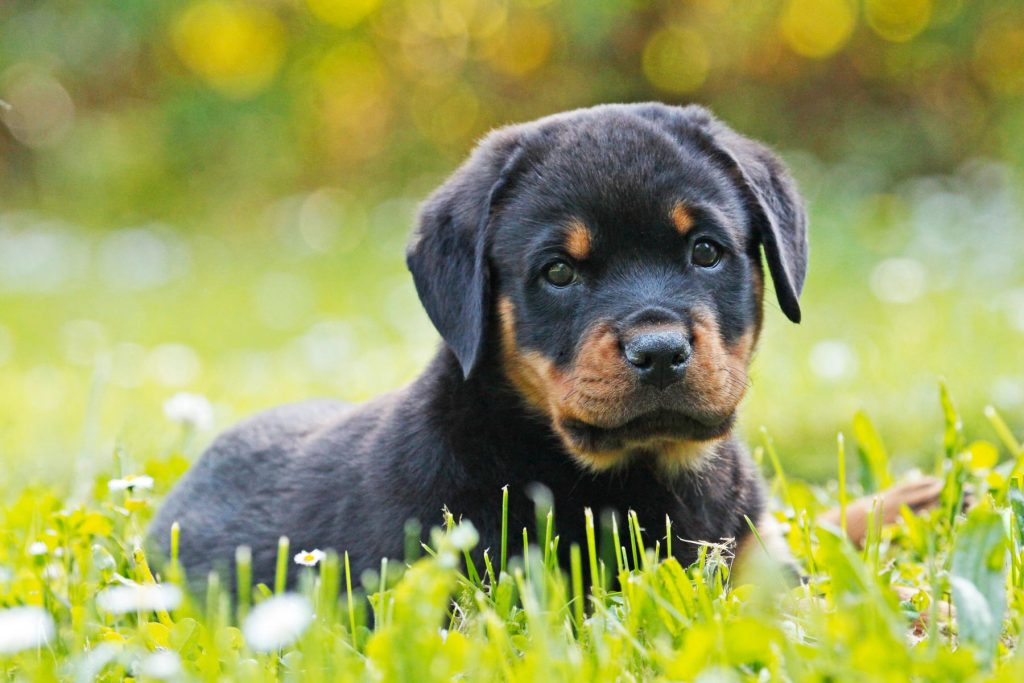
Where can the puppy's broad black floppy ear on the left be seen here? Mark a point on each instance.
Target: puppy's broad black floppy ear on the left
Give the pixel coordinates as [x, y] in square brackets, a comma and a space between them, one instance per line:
[448, 254]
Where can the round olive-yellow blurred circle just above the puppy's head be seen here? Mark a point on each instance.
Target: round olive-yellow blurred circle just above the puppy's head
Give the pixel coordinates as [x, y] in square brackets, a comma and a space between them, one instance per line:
[676, 60]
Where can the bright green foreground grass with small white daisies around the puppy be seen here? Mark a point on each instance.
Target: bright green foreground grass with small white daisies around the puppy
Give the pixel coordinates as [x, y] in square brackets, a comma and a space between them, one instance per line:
[645, 617]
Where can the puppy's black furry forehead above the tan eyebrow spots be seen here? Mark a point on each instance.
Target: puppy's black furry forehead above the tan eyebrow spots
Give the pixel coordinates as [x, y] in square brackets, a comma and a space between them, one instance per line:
[616, 172]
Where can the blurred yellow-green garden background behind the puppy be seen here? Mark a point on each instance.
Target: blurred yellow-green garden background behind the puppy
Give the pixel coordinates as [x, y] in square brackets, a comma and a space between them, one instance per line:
[214, 197]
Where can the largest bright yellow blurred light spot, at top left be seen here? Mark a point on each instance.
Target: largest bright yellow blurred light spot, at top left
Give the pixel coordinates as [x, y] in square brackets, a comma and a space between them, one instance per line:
[236, 49]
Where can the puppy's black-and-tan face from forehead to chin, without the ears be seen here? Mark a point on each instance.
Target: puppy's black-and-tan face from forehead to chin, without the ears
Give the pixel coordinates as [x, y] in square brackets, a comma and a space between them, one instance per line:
[628, 295]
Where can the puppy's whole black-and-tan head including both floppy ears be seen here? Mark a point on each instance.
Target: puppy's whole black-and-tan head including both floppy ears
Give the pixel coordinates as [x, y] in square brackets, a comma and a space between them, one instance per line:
[610, 260]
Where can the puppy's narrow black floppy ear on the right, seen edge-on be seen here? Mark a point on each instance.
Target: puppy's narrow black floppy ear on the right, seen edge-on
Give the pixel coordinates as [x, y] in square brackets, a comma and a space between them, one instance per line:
[772, 195]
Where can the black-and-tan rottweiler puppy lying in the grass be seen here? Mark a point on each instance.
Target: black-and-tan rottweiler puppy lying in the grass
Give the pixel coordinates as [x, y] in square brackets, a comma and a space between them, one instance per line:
[596, 277]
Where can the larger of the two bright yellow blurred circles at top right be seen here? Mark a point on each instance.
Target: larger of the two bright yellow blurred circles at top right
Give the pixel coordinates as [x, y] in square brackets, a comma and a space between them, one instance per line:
[818, 28]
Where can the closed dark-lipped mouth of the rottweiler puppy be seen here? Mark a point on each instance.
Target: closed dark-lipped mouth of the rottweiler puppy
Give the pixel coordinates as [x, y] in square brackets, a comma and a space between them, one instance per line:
[656, 426]
